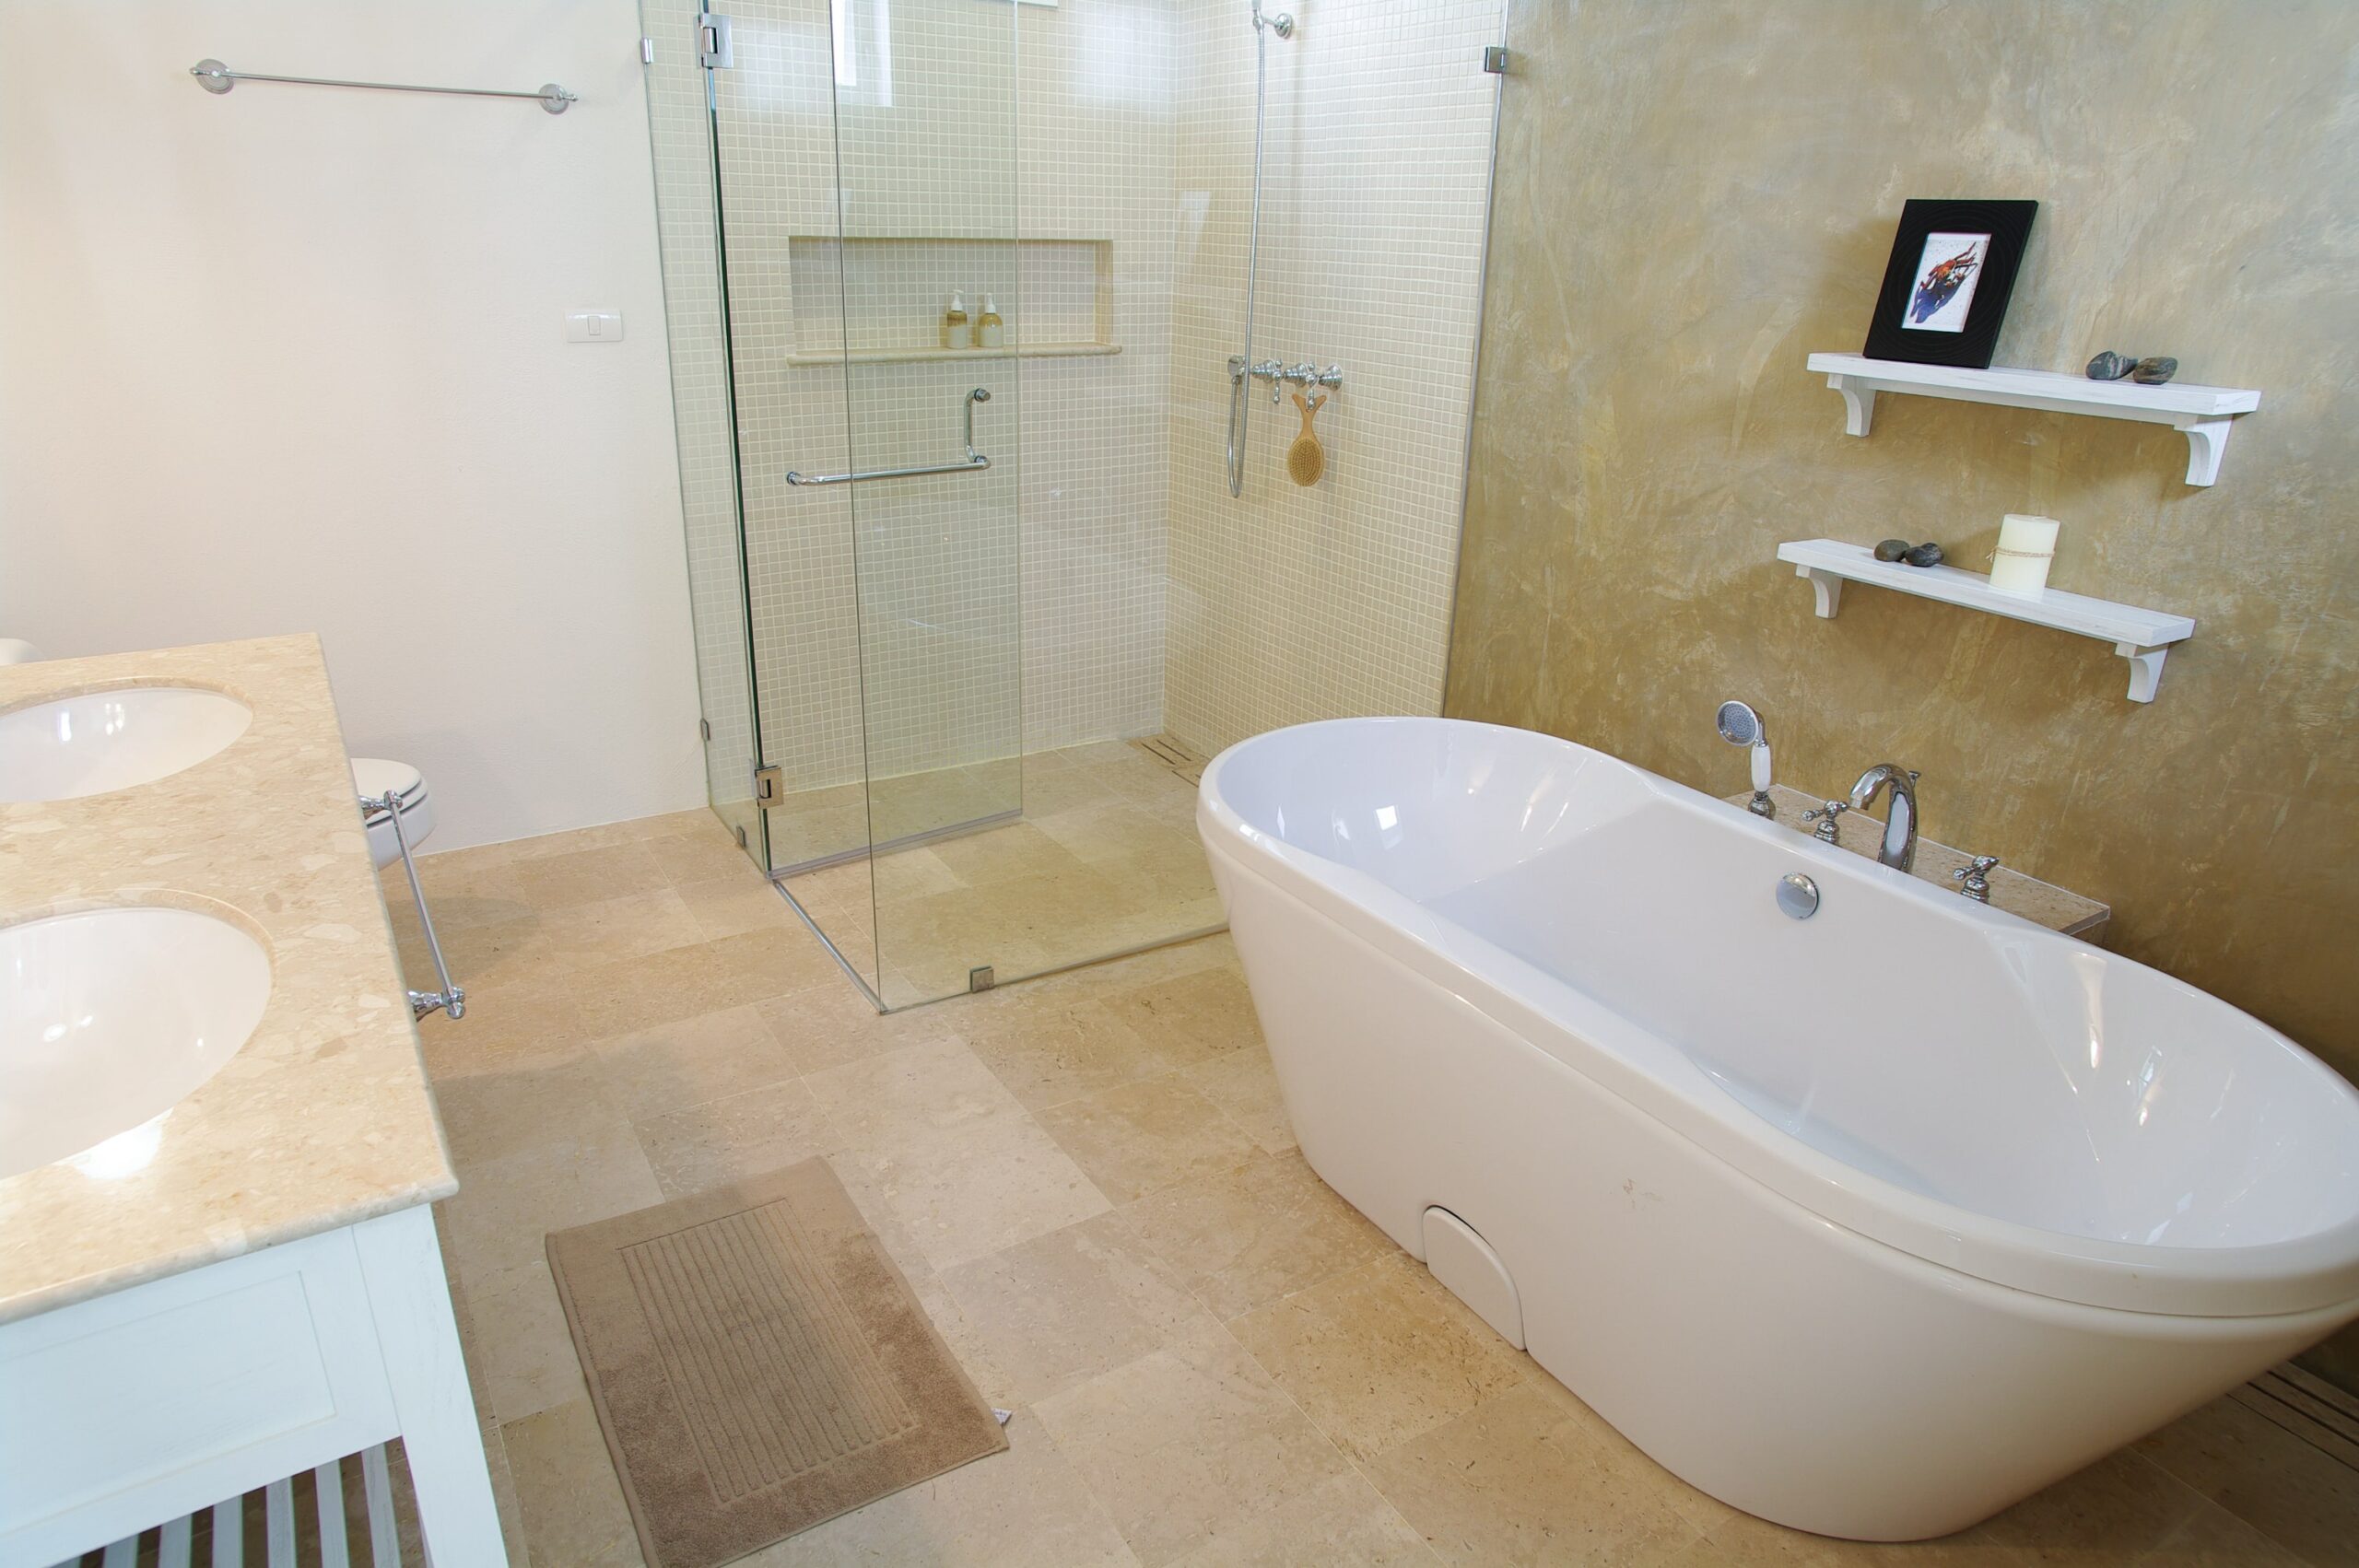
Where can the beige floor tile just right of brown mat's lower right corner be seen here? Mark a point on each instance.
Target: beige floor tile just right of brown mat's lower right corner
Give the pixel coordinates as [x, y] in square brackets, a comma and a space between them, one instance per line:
[1188, 1444]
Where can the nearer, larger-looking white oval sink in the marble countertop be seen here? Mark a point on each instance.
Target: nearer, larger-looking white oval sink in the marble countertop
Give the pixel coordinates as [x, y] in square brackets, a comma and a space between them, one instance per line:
[112, 1017]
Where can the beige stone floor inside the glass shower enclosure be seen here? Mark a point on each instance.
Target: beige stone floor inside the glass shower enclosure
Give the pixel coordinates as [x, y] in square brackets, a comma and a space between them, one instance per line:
[1103, 859]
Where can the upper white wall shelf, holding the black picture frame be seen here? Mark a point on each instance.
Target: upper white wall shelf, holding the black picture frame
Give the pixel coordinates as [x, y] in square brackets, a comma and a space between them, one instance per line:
[2202, 414]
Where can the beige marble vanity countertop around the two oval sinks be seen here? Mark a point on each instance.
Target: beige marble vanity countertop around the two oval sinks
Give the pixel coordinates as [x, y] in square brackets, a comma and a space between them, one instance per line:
[324, 1119]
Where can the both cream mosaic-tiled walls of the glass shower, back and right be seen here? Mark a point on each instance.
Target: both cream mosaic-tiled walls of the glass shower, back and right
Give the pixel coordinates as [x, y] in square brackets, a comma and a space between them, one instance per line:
[1091, 169]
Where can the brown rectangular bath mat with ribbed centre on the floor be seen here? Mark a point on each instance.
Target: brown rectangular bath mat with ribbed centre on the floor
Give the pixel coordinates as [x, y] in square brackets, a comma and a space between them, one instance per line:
[758, 1366]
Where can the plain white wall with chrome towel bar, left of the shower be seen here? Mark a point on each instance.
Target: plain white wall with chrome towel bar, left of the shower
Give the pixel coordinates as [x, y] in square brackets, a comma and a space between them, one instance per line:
[294, 360]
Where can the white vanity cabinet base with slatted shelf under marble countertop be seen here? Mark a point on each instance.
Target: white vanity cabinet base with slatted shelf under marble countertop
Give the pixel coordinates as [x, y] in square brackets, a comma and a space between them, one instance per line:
[157, 1402]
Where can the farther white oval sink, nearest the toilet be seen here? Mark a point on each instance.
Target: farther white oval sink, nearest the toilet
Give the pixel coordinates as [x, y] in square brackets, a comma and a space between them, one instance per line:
[114, 739]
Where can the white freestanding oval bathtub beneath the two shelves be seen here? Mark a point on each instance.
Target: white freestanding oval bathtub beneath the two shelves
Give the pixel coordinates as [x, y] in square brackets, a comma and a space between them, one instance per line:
[1867, 1223]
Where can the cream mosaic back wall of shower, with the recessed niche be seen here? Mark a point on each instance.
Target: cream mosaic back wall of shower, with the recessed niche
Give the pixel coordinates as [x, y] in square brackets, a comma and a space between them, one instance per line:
[954, 136]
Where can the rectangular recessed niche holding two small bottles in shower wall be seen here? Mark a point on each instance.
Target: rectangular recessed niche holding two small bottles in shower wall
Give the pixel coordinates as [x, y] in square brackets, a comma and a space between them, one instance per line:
[886, 296]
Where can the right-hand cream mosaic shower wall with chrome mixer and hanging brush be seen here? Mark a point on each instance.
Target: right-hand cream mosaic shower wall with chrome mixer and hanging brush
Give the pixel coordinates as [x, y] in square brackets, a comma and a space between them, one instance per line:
[1336, 600]
